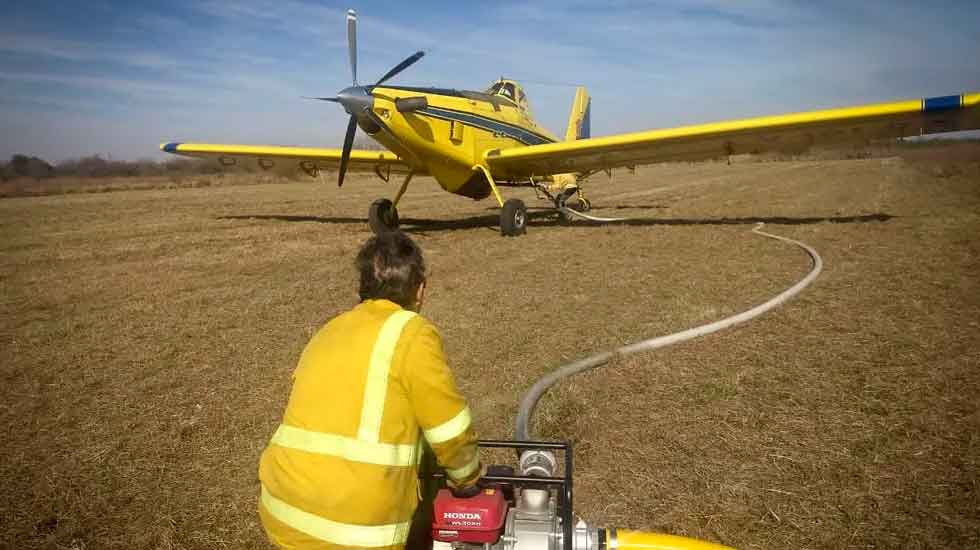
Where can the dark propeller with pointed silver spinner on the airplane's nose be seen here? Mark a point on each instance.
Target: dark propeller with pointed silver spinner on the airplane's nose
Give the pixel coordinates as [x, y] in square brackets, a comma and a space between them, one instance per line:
[357, 100]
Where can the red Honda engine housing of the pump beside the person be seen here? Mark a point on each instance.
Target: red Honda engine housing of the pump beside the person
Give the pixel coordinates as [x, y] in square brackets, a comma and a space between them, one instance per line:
[477, 519]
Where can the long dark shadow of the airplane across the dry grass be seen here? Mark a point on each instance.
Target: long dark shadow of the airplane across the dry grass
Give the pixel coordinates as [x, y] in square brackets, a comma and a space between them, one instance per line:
[545, 218]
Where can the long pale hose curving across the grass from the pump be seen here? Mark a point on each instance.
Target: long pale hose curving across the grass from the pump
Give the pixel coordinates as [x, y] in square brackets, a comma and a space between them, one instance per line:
[531, 398]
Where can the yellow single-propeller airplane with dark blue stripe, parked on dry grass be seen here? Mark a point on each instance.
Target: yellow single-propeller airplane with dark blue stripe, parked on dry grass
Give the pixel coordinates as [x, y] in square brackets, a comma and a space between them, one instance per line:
[474, 143]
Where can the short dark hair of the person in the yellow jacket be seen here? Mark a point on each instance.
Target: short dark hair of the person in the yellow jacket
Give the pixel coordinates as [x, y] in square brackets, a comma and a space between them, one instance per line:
[391, 267]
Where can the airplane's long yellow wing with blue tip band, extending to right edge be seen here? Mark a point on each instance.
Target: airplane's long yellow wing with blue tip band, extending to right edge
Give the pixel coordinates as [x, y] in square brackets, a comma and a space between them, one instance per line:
[790, 133]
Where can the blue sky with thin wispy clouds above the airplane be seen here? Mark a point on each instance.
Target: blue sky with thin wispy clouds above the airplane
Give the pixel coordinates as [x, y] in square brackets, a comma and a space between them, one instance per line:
[117, 78]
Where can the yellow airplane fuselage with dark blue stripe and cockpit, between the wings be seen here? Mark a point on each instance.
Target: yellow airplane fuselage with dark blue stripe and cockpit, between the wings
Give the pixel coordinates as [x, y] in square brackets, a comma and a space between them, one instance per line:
[447, 133]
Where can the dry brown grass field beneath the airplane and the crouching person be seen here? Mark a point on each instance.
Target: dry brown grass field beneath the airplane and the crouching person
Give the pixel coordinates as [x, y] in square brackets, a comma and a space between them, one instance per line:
[148, 338]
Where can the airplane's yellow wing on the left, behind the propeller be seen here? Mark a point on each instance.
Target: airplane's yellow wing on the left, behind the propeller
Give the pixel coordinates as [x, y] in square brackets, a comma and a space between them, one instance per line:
[308, 158]
